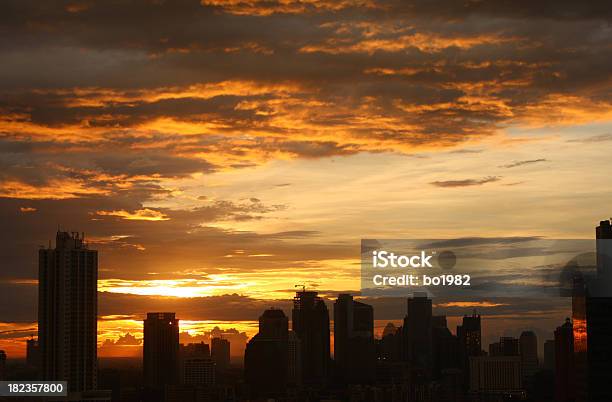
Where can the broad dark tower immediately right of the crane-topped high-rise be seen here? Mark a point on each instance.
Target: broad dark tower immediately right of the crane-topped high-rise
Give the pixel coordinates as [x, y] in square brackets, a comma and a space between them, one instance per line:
[354, 349]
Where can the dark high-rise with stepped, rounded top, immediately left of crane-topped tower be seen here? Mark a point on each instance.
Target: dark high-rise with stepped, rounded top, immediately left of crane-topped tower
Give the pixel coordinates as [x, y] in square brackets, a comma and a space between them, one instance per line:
[266, 359]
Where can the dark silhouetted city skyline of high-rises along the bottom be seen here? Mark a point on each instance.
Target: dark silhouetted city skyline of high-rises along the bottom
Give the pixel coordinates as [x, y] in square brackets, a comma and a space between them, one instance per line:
[421, 357]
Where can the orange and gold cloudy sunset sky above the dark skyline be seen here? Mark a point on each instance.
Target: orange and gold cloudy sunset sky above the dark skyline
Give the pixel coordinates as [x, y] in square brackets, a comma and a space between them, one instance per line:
[217, 153]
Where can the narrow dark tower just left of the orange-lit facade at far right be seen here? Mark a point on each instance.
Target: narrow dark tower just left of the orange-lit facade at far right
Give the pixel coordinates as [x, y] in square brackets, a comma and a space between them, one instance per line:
[565, 379]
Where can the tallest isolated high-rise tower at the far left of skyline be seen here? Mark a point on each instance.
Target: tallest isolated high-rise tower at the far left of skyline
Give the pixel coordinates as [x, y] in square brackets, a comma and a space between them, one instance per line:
[67, 312]
